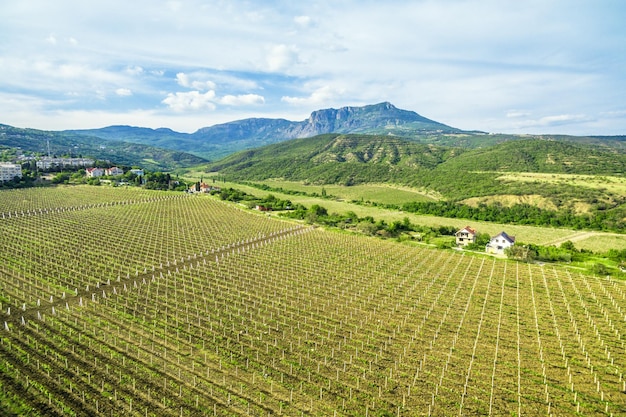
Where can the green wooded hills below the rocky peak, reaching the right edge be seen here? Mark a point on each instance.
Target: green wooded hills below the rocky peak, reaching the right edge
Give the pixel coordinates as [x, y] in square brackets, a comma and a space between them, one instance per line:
[457, 173]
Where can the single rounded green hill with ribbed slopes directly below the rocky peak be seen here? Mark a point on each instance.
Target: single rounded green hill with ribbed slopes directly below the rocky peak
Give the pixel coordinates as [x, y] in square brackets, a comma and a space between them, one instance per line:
[336, 158]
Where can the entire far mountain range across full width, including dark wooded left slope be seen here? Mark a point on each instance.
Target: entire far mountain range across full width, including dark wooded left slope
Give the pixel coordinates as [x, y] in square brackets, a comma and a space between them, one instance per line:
[166, 149]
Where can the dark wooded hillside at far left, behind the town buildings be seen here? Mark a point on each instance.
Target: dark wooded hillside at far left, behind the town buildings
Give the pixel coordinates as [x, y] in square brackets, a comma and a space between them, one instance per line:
[122, 153]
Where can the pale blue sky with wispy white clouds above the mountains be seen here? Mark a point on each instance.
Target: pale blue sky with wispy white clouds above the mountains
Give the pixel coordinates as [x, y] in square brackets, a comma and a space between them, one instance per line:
[530, 66]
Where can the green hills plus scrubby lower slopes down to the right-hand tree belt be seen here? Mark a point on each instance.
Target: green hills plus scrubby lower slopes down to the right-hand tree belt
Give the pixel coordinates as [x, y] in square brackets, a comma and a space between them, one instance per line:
[457, 174]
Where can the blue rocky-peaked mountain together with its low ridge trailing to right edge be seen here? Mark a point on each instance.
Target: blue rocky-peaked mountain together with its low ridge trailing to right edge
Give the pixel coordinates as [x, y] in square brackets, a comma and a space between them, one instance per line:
[218, 141]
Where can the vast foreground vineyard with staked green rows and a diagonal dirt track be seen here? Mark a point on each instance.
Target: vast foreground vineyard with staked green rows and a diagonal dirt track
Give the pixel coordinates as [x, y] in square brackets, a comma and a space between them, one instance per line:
[141, 303]
